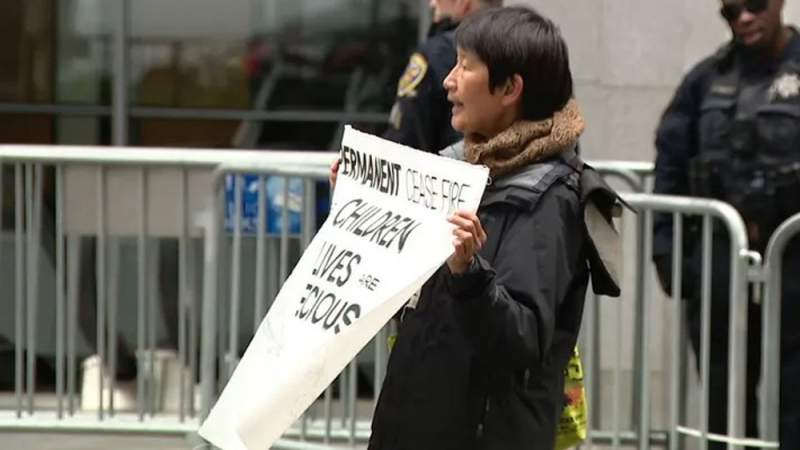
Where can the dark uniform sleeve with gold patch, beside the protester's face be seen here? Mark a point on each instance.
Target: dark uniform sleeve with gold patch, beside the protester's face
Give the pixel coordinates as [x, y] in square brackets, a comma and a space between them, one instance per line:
[421, 110]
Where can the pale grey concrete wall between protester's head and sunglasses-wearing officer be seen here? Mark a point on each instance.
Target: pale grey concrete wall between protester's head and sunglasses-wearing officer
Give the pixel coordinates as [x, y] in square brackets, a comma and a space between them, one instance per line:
[627, 58]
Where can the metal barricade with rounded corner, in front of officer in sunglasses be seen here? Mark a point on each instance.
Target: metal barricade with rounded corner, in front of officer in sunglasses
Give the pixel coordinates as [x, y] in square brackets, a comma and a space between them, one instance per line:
[642, 436]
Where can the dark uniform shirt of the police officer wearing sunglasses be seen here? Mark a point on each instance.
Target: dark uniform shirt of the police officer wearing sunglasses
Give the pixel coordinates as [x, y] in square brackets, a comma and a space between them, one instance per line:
[745, 113]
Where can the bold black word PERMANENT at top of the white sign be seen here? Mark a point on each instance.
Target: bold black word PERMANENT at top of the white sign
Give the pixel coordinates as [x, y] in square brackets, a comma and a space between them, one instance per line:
[371, 171]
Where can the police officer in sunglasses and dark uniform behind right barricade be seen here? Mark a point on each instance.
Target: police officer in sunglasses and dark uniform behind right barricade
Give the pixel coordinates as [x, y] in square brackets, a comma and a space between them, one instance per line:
[732, 132]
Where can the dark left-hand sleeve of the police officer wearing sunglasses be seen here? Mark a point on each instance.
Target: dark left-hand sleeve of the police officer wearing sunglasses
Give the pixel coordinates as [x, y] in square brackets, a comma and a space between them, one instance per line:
[676, 144]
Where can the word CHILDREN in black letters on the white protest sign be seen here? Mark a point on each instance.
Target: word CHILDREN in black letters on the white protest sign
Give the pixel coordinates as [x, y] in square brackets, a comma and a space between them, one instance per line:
[373, 223]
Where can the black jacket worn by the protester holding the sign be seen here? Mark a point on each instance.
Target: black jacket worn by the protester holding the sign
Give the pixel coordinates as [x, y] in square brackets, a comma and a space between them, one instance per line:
[478, 364]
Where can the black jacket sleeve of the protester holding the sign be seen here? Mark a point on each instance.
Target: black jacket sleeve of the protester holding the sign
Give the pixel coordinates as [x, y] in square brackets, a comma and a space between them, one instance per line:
[509, 310]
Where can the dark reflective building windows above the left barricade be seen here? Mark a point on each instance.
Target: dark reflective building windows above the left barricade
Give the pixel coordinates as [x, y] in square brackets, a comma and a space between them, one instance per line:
[308, 65]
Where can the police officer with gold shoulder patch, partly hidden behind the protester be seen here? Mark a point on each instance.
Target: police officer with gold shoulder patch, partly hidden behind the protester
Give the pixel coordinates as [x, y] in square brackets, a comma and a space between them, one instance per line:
[421, 114]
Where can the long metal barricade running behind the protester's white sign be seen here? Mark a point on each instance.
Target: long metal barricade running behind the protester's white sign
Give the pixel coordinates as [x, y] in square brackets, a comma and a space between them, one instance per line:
[271, 251]
